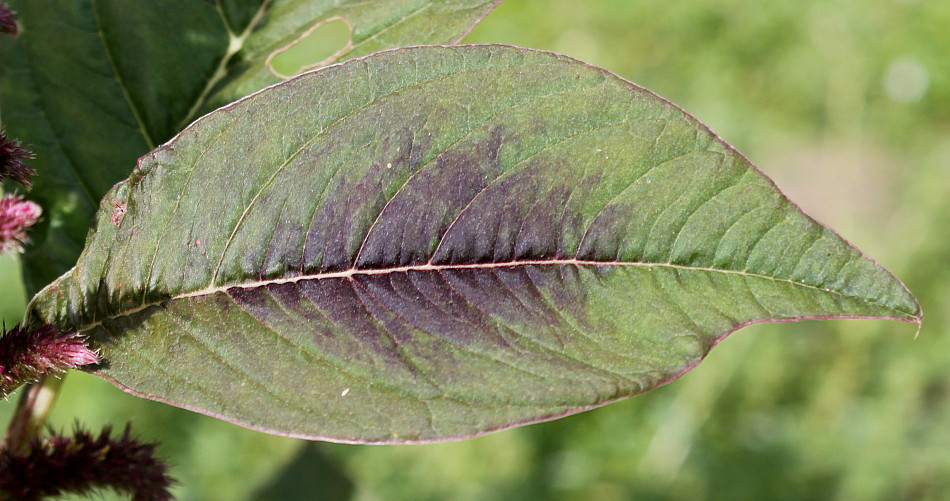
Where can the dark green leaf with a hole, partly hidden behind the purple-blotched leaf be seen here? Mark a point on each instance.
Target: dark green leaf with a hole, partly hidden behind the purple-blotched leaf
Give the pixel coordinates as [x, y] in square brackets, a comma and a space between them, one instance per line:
[94, 84]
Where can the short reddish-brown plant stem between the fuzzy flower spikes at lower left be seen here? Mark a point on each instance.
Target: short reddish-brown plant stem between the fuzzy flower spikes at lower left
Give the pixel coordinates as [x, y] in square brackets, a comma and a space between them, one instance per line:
[34, 406]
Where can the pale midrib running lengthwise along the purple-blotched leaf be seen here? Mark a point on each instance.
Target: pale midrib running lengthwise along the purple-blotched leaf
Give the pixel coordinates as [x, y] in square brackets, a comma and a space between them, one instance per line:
[353, 272]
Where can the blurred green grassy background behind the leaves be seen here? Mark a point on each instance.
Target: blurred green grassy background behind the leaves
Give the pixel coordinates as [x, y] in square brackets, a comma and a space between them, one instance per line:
[846, 104]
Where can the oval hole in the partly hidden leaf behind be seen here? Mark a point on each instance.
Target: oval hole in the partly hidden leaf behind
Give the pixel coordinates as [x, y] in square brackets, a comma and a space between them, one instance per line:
[320, 45]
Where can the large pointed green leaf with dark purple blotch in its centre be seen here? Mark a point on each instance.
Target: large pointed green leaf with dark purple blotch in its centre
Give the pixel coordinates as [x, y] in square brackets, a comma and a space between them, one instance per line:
[431, 243]
